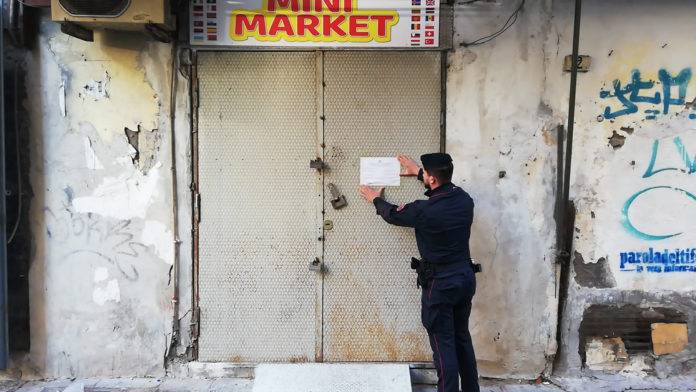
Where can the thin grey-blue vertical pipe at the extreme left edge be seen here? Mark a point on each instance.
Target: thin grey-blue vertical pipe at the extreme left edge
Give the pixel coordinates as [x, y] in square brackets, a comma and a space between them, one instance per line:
[4, 349]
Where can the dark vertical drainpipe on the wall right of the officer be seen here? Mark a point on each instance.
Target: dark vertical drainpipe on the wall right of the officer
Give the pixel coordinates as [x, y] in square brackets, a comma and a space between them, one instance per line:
[565, 214]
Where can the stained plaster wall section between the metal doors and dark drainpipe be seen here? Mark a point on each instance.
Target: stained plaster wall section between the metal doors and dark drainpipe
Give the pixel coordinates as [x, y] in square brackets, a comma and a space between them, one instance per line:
[501, 119]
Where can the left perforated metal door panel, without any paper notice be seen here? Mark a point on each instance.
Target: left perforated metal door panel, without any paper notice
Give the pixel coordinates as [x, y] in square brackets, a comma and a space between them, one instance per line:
[259, 206]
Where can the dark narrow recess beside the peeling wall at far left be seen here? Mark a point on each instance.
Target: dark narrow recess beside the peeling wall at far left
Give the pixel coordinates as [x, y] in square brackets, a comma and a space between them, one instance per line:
[20, 35]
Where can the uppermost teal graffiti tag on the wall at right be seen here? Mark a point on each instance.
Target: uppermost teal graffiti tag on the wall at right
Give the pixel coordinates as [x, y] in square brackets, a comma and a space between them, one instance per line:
[646, 96]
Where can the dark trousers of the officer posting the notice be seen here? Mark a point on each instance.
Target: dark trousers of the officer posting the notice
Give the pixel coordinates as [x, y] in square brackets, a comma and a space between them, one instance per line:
[445, 310]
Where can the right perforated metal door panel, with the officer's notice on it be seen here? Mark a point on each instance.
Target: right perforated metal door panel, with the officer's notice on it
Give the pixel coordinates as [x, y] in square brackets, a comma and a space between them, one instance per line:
[376, 104]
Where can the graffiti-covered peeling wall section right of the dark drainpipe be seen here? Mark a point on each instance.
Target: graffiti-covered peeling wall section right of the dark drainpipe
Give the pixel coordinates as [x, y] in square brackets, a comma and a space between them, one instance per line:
[633, 168]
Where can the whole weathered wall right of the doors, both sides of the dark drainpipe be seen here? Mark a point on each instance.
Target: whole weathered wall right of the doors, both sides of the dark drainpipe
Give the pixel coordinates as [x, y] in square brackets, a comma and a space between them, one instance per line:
[631, 178]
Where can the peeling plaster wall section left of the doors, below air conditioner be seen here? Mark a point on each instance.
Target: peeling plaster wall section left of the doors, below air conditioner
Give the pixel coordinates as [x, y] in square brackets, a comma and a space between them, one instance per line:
[100, 283]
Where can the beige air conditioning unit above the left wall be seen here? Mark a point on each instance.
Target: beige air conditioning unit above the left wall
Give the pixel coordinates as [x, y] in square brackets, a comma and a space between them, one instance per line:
[114, 14]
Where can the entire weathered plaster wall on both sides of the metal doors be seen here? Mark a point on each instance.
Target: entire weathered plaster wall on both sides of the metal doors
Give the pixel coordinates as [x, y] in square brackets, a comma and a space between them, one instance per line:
[102, 216]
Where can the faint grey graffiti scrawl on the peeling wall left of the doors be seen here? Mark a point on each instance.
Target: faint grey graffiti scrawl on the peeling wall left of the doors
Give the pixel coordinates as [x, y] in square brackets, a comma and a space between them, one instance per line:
[109, 241]
